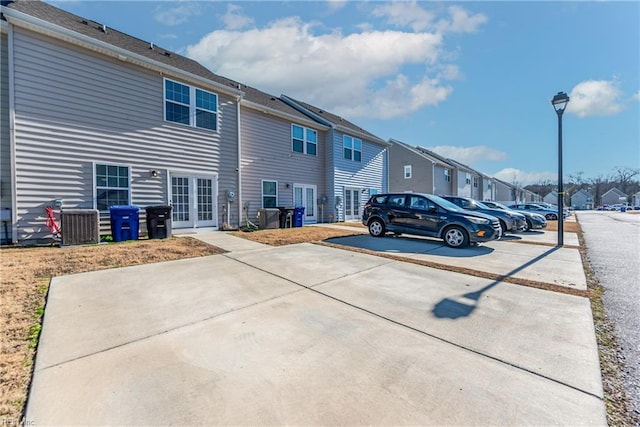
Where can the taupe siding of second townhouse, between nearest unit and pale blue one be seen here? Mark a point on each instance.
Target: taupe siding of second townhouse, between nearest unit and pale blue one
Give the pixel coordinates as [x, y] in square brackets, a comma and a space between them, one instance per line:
[267, 155]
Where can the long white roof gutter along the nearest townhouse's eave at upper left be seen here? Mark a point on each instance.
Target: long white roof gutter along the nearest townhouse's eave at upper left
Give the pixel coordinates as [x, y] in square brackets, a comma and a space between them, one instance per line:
[23, 20]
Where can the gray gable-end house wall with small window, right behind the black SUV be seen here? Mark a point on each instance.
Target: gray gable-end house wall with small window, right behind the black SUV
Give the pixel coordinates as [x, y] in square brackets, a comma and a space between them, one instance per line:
[418, 170]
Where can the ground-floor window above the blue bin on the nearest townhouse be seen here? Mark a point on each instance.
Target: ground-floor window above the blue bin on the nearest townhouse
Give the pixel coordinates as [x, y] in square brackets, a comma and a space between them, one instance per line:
[112, 186]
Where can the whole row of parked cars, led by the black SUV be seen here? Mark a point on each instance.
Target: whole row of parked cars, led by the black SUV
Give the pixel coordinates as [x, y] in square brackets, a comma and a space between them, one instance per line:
[458, 221]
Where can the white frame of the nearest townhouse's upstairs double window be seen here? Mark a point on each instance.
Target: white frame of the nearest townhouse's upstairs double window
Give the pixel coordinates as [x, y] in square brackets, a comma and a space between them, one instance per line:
[195, 110]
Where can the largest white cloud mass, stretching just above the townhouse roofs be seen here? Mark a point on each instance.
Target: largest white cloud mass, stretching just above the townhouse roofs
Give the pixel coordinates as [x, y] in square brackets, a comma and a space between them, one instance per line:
[365, 71]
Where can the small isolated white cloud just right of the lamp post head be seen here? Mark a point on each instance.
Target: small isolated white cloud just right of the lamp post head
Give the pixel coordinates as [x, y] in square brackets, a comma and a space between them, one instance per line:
[595, 98]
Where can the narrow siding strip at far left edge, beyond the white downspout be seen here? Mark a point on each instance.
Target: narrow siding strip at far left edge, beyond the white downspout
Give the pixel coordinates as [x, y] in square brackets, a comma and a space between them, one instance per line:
[5, 142]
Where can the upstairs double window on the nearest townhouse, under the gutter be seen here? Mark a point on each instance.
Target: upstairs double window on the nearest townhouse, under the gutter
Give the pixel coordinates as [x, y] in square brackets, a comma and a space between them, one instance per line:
[190, 106]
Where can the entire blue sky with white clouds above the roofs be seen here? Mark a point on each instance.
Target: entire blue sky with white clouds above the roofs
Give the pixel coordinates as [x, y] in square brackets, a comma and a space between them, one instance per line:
[470, 80]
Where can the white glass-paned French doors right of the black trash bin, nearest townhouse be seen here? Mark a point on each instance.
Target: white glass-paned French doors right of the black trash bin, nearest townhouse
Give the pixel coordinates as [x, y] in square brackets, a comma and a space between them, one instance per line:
[193, 198]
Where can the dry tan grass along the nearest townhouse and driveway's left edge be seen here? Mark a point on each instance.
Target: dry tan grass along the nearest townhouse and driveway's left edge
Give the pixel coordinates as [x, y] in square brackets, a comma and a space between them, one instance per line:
[24, 283]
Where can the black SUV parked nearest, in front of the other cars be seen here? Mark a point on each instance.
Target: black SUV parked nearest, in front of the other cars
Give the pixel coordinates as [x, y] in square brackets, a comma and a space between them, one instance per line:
[428, 215]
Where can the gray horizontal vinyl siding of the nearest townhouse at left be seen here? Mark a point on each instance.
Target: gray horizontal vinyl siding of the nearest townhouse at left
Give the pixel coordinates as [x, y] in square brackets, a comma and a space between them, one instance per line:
[74, 107]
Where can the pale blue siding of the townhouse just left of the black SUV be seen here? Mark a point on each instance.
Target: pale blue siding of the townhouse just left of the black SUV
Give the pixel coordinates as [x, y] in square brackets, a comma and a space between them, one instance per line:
[370, 173]
